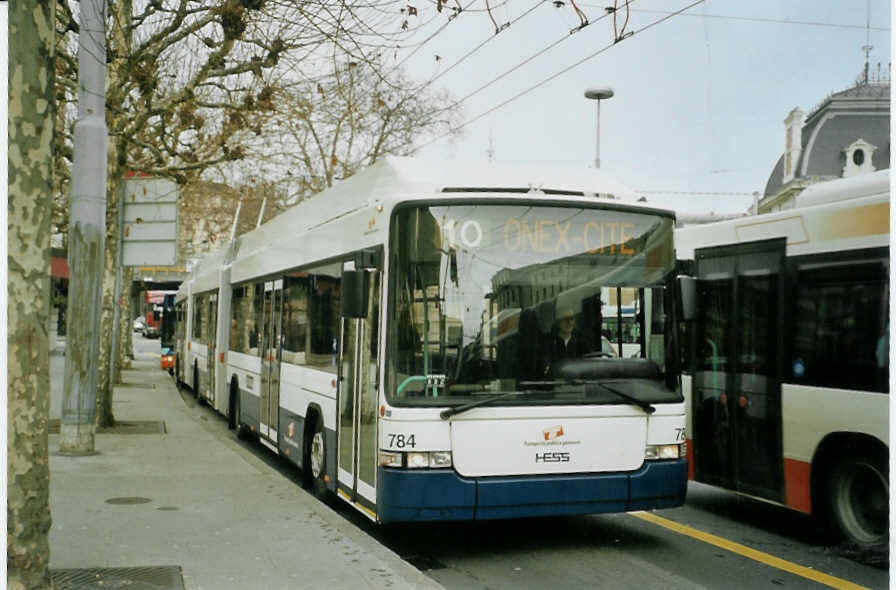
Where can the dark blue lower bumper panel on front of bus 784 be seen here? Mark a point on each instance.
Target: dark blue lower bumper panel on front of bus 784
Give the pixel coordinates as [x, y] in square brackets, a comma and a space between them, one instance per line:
[407, 495]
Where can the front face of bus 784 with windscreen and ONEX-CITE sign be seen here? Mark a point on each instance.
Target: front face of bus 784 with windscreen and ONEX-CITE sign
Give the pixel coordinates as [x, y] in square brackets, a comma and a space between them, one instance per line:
[501, 398]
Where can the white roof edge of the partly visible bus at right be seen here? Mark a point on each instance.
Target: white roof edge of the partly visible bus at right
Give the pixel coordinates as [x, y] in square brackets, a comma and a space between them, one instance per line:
[843, 214]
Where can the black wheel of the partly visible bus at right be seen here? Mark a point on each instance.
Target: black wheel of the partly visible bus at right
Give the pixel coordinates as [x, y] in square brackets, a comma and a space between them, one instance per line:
[859, 494]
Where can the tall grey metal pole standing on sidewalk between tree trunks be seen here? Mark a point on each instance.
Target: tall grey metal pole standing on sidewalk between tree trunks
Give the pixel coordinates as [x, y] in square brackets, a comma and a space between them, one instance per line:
[86, 235]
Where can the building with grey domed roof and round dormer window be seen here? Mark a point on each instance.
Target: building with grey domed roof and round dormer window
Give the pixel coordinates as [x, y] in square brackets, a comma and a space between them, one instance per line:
[847, 134]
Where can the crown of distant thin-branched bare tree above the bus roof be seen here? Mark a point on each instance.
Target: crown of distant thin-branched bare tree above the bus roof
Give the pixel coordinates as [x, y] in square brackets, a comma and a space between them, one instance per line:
[327, 129]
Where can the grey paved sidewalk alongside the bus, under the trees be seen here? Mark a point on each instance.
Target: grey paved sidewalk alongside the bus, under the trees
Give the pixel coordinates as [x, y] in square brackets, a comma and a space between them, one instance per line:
[199, 499]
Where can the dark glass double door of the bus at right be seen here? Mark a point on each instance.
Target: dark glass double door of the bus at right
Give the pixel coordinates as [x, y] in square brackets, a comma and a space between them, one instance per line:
[737, 389]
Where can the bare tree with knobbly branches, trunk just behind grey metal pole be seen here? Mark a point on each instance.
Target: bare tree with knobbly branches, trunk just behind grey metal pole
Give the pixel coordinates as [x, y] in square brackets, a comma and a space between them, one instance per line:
[188, 84]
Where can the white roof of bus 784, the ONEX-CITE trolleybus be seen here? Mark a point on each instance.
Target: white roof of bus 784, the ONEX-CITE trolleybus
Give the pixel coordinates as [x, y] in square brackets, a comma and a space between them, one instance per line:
[378, 188]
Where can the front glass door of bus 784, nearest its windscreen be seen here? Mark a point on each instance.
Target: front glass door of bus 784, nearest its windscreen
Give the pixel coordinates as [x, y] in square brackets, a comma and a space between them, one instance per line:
[358, 395]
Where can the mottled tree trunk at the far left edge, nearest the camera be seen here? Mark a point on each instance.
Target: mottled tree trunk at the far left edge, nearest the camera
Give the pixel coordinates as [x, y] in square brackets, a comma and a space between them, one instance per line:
[31, 115]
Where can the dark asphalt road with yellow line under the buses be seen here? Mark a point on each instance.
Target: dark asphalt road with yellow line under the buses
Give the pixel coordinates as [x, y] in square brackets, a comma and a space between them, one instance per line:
[717, 540]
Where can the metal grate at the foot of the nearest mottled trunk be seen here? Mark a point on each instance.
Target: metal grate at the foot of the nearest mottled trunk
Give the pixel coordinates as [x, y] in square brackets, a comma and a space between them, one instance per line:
[166, 577]
